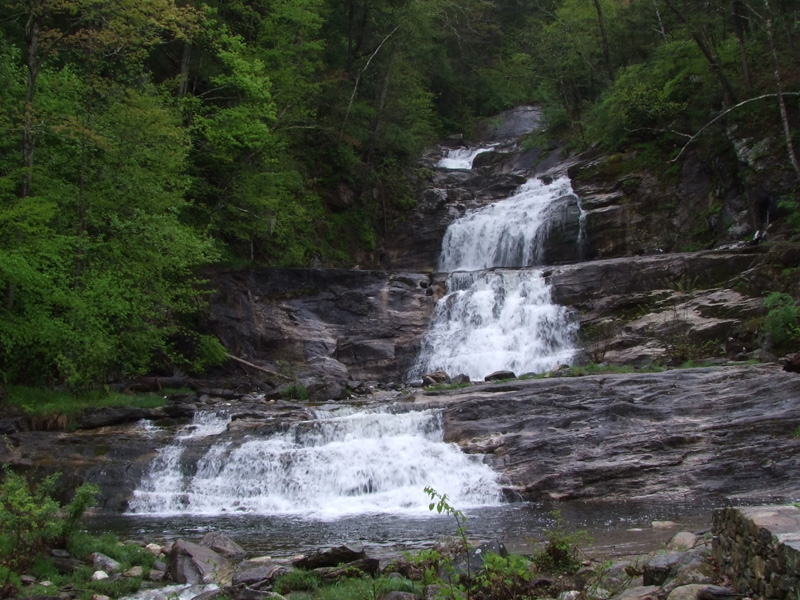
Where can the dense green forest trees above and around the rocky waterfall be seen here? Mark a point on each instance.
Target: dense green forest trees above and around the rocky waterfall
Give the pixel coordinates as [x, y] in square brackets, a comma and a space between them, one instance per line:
[145, 139]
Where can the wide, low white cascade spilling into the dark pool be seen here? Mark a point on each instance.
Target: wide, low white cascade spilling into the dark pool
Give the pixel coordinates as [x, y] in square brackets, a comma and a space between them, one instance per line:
[341, 464]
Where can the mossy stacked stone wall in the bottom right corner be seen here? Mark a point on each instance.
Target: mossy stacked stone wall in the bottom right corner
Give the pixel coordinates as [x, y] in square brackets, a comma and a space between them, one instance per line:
[758, 548]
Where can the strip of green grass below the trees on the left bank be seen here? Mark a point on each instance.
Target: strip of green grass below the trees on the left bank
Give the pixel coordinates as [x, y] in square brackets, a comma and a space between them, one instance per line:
[43, 402]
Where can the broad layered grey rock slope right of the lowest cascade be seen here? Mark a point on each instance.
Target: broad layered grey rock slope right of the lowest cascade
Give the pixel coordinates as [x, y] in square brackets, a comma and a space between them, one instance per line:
[679, 434]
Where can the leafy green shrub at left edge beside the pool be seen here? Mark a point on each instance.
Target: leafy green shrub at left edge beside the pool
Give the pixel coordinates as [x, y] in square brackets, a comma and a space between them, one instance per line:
[31, 521]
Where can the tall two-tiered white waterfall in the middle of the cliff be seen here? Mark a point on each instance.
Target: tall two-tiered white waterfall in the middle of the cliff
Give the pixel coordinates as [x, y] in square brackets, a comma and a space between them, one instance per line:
[491, 320]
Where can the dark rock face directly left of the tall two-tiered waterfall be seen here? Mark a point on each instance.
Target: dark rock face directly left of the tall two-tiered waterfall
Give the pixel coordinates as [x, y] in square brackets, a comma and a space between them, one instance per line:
[338, 324]
